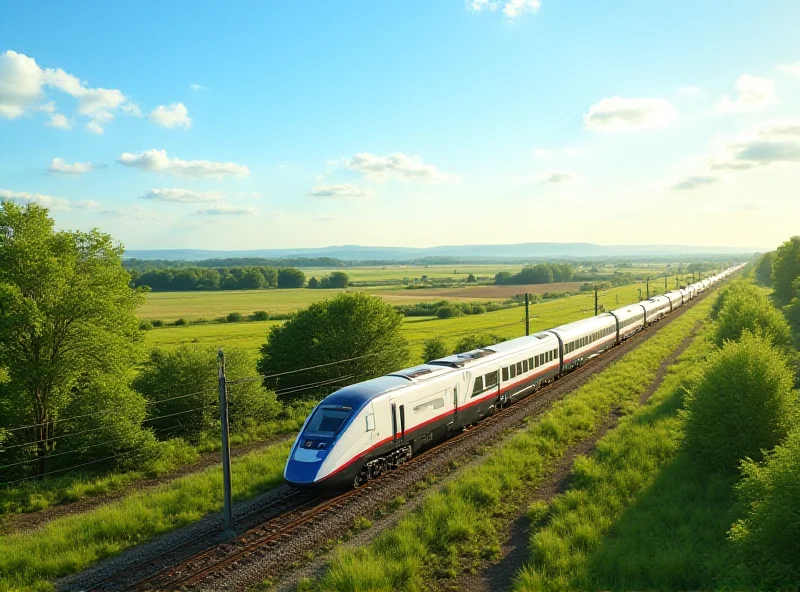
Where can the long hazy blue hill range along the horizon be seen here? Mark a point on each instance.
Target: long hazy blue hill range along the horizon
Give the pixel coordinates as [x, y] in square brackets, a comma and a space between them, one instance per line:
[475, 253]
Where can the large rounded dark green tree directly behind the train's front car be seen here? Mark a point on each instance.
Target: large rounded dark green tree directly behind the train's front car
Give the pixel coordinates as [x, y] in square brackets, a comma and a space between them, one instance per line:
[355, 327]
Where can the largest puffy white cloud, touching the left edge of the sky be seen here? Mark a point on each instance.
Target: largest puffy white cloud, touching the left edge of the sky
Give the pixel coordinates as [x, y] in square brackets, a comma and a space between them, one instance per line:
[22, 82]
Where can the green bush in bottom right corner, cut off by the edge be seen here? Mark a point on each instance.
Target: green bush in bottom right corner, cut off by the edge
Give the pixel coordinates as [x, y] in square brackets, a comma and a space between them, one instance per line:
[769, 533]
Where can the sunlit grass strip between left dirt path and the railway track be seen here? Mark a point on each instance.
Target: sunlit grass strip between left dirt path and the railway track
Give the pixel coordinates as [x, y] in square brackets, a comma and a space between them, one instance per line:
[67, 545]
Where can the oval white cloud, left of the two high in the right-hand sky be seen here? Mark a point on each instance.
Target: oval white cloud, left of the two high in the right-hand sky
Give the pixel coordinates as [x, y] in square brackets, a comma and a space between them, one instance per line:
[617, 114]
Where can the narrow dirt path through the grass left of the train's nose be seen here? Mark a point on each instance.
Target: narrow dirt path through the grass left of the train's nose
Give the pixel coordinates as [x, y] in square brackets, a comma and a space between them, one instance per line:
[33, 520]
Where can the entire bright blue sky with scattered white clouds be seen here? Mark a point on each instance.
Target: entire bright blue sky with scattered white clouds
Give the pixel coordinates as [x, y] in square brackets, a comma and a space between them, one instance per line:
[266, 124]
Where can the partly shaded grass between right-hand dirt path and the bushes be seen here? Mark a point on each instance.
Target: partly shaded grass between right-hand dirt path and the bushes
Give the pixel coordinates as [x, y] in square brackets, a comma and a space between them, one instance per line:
[639, 515]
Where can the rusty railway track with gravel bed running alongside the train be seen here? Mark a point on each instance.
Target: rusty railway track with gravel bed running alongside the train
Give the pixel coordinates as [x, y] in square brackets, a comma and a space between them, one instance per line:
[301, 522]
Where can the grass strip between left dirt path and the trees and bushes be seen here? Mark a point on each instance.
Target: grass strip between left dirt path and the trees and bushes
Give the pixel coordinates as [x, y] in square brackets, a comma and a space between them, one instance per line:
[33, 496]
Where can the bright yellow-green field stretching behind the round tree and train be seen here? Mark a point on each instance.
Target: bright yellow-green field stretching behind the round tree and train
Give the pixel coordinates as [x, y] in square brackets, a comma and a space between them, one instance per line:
[505, 323]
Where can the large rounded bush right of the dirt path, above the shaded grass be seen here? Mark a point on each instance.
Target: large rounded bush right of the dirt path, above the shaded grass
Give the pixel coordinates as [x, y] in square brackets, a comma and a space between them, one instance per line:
[741, 405]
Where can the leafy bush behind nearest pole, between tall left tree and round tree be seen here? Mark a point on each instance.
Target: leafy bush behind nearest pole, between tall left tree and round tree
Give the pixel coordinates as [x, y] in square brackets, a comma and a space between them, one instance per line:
[168, 377]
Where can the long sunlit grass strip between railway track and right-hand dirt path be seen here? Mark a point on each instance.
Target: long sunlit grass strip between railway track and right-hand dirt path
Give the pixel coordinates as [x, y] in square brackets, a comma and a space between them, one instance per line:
[457, 523]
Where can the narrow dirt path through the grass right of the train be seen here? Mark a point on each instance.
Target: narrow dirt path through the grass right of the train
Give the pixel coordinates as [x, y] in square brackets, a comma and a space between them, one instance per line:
[499, 575]
